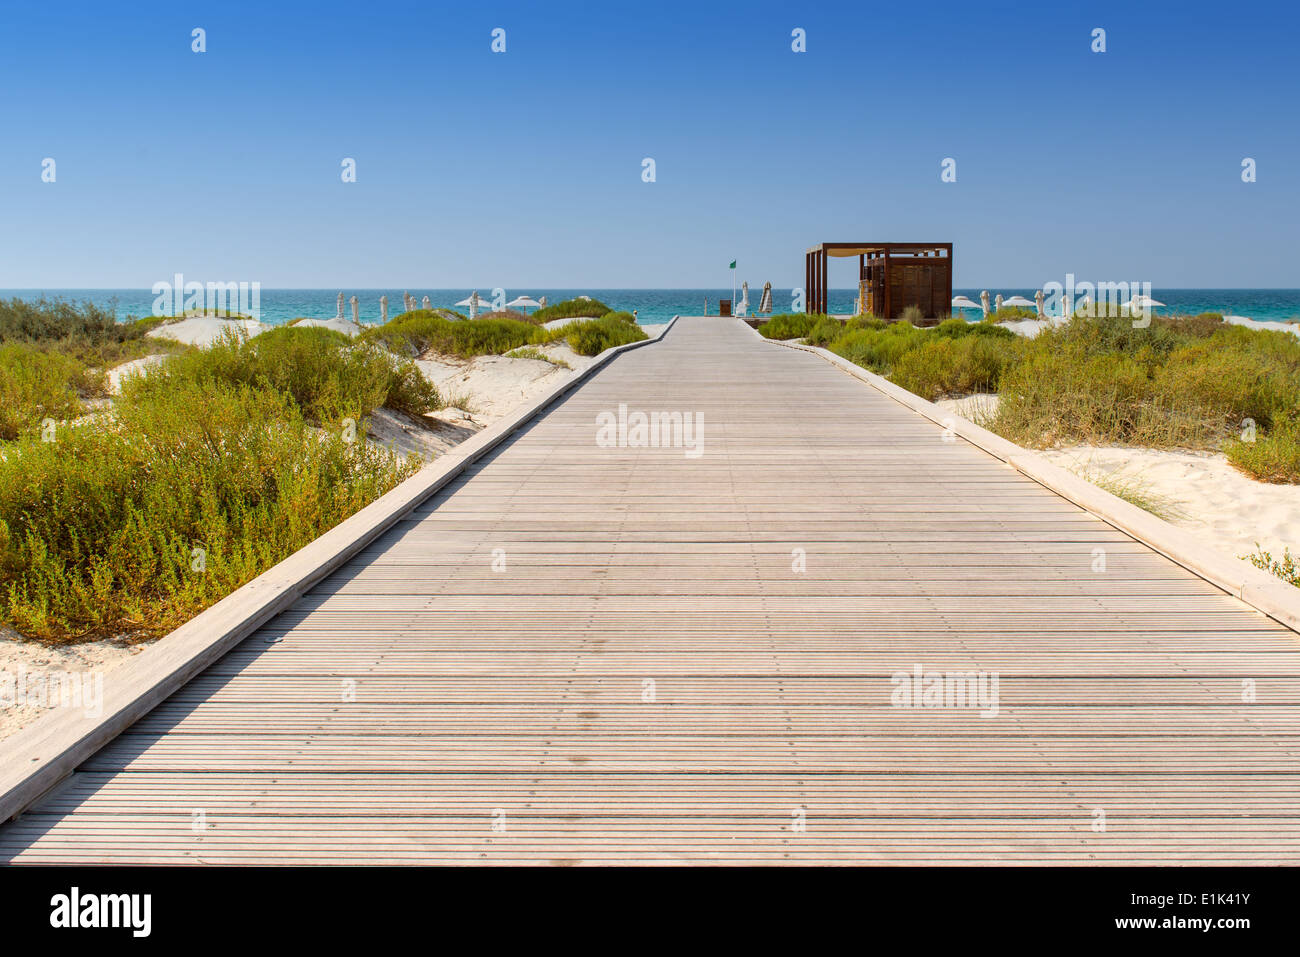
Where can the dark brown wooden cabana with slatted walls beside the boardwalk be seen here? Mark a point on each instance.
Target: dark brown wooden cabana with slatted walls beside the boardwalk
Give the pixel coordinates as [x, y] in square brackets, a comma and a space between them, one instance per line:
[891, 278]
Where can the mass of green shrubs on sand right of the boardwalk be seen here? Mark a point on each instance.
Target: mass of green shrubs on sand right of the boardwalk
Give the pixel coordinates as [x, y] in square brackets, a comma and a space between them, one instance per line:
[1177, 383]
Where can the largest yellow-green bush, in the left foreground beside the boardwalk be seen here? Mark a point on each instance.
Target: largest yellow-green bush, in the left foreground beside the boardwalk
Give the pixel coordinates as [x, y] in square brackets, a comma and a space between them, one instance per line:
[99, 529]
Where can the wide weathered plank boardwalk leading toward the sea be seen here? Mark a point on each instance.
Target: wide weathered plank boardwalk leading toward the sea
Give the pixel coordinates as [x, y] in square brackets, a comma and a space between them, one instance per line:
[648, 674]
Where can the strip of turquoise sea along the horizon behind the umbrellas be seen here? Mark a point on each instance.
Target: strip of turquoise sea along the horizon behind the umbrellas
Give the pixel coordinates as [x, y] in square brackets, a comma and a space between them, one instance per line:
[652, 305]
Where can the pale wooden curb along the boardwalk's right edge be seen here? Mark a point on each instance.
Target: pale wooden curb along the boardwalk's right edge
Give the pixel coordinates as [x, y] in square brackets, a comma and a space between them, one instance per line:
[1255, 587]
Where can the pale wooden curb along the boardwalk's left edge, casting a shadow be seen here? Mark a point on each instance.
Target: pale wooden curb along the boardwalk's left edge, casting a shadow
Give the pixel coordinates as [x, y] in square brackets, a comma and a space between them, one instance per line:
[37, 759]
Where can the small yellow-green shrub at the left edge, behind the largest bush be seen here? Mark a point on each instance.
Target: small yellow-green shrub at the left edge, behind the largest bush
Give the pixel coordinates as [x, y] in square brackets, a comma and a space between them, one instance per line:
[37, 384]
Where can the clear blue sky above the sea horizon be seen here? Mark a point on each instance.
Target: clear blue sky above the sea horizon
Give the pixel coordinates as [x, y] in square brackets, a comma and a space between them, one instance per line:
[523, 170]
